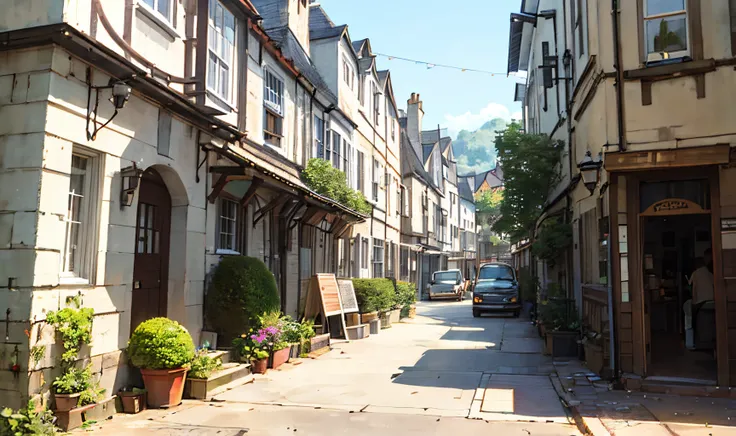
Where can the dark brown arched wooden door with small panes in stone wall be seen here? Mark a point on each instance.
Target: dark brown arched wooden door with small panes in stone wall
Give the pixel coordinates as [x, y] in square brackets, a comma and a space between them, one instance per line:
[151, 267]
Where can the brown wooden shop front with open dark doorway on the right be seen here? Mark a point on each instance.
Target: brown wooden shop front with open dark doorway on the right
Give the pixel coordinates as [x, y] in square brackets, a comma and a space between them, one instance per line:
[673, 216]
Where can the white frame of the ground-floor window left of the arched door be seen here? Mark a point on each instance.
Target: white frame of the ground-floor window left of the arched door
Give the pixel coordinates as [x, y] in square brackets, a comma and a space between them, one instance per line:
[85, 270]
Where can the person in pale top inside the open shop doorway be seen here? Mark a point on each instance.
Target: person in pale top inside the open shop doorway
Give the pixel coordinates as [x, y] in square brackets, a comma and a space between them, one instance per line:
[701, 283]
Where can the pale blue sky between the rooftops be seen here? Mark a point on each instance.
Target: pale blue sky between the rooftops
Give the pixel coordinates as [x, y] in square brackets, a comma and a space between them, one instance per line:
[464, 33]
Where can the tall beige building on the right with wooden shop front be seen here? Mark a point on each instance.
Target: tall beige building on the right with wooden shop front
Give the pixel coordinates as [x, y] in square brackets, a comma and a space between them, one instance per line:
[646, 91]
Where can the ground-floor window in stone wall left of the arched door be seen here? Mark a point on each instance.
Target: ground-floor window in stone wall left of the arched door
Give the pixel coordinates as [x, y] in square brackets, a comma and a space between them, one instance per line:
[81, 218]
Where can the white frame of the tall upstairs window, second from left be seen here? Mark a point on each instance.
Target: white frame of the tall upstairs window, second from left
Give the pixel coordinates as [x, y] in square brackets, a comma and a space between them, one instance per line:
[228, 63]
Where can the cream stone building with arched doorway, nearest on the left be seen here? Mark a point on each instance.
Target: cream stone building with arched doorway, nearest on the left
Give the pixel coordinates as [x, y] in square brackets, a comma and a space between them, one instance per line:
[131, 162]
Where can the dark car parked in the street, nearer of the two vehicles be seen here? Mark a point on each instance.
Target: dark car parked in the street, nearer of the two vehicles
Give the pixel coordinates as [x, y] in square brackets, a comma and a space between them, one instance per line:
[496, 290]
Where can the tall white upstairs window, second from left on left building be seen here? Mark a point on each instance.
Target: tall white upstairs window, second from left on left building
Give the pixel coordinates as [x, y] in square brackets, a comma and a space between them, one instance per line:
[221, 39]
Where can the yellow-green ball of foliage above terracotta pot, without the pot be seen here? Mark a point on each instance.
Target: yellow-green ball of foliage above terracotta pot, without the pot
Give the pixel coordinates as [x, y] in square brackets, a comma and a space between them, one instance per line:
[160, 343]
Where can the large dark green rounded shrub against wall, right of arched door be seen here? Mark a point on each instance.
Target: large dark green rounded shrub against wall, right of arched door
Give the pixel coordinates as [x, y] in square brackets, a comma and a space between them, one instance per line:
[242, 289]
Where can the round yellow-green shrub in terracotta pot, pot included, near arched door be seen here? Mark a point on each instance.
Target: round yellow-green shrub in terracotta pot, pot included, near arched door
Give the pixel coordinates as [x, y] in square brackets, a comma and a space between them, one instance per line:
[163, 350]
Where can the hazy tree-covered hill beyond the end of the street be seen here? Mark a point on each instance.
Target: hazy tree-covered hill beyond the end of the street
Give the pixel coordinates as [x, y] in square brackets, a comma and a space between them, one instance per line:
[475, 151]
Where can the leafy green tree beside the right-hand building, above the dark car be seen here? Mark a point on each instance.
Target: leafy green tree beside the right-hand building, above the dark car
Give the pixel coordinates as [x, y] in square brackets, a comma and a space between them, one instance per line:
[530, 165]
